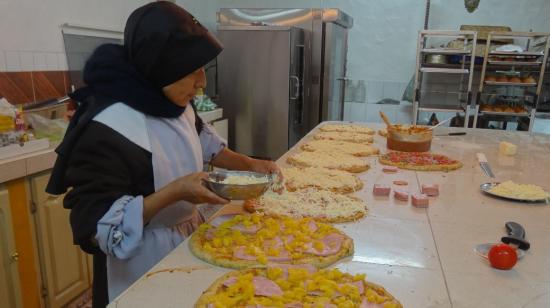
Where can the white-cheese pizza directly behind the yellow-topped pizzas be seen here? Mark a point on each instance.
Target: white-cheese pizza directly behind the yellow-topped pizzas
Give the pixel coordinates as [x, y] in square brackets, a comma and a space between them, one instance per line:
[323, 205]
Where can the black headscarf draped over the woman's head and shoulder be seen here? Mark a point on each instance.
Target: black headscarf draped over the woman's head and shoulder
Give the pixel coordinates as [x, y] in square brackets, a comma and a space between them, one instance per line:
[162, 44]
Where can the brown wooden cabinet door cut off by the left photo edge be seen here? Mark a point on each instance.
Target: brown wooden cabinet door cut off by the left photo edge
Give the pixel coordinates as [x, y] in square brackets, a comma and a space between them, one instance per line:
[10, 292]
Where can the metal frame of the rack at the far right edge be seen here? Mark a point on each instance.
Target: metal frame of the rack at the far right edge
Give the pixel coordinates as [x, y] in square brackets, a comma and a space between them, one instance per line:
[533, 61]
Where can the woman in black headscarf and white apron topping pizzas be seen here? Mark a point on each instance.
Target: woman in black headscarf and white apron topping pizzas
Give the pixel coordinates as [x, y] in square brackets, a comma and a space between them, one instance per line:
[133, 155]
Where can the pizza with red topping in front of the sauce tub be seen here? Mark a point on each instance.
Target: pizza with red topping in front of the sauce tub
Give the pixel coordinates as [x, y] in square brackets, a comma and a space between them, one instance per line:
[421, 161]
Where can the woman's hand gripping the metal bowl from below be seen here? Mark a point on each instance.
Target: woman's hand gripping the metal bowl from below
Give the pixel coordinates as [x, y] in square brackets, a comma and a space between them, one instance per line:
[191, 188]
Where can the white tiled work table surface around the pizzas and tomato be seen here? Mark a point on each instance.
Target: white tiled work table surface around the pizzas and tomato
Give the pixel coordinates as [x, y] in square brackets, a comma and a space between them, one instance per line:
[424, 257]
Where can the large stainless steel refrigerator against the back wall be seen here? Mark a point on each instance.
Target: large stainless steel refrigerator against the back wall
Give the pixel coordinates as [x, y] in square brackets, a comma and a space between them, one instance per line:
[282, 71]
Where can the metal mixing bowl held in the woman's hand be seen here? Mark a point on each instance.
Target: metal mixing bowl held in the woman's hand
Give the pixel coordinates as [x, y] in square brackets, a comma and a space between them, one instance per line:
[236, 191]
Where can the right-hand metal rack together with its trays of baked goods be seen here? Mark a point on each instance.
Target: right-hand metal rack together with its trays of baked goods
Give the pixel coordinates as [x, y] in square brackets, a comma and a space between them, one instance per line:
[512, 99]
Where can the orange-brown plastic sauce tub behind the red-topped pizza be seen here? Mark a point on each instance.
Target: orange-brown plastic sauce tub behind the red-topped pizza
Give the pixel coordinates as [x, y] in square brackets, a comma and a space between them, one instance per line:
[409, 138]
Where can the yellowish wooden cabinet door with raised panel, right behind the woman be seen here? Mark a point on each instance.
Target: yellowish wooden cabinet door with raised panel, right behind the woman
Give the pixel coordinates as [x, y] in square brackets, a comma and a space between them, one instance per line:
[64, 265]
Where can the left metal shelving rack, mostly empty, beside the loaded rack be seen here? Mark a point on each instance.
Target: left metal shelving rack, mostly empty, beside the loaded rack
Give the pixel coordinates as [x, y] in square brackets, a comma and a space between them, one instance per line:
[466, 68]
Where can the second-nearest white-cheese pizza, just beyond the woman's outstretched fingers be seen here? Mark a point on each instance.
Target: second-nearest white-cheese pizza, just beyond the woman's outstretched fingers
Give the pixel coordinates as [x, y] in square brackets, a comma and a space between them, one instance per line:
[321, 178]
